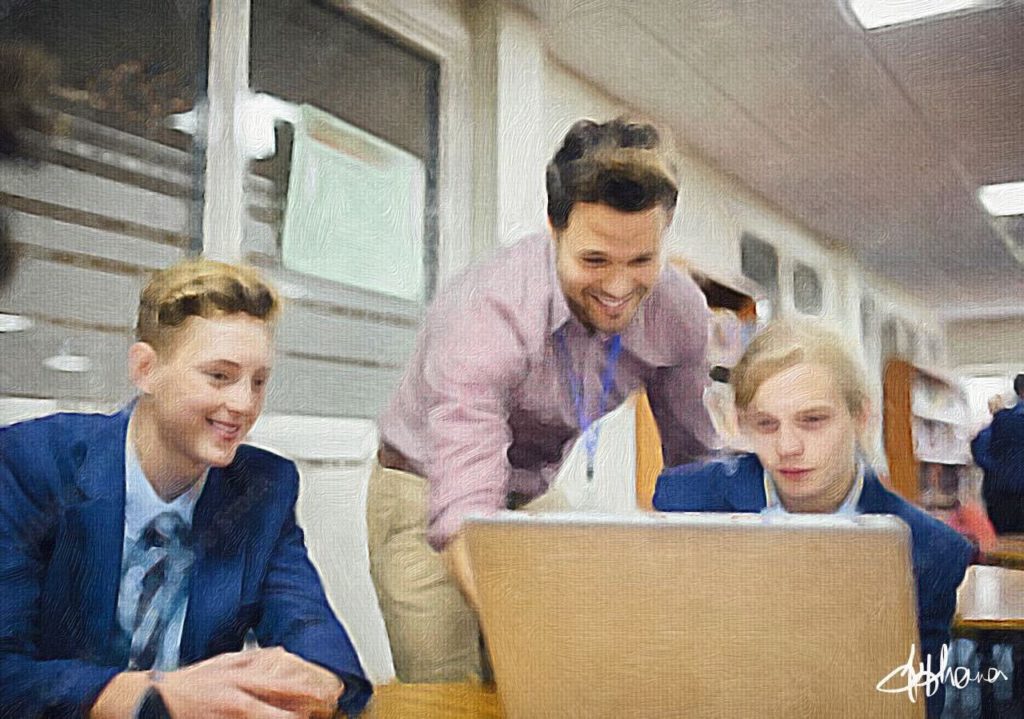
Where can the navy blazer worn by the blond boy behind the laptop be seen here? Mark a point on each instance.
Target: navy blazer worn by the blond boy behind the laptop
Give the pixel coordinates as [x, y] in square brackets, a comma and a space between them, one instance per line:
[941, 556]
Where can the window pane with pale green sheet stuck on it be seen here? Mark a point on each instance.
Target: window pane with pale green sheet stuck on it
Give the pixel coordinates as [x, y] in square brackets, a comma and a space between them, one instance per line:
[343, 199]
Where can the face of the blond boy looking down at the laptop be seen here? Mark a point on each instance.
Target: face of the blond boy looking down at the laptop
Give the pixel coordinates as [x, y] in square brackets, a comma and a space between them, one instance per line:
[803, 433]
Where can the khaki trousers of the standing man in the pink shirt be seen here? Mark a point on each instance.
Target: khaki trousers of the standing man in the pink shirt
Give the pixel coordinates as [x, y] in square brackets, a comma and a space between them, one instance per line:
[435, 636]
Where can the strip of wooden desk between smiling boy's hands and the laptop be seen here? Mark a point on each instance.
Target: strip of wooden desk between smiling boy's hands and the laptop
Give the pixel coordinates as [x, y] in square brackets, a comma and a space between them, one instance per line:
[435, 702]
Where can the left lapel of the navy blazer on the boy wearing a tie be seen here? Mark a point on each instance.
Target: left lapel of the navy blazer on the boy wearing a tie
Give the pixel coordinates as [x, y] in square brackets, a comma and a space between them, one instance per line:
[96, 528]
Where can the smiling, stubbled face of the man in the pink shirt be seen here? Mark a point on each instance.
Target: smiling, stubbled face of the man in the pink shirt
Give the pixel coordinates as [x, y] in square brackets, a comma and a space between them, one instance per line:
[608, 263]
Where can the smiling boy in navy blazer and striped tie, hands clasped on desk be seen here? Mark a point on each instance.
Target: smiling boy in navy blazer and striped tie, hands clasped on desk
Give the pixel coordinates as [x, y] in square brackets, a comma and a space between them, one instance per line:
[139, 551]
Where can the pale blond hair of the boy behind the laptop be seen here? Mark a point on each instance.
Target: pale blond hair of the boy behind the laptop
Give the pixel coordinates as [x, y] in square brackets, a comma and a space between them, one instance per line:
[783, 345]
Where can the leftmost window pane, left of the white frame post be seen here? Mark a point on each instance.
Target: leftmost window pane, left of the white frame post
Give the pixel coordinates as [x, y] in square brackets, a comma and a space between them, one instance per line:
[115, 191]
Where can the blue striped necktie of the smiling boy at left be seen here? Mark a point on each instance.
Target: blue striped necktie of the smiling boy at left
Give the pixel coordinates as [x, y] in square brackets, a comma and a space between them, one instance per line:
[167, 560]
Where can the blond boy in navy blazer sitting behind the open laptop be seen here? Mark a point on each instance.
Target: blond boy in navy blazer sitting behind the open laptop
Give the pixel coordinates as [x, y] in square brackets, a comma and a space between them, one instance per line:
[803, 405]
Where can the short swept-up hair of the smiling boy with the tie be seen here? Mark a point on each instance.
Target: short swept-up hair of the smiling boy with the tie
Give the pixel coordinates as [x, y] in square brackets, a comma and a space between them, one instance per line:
[201, 288]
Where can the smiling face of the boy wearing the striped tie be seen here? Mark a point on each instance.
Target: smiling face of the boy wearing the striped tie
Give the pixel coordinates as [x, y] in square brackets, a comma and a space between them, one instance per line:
[207, 390]
